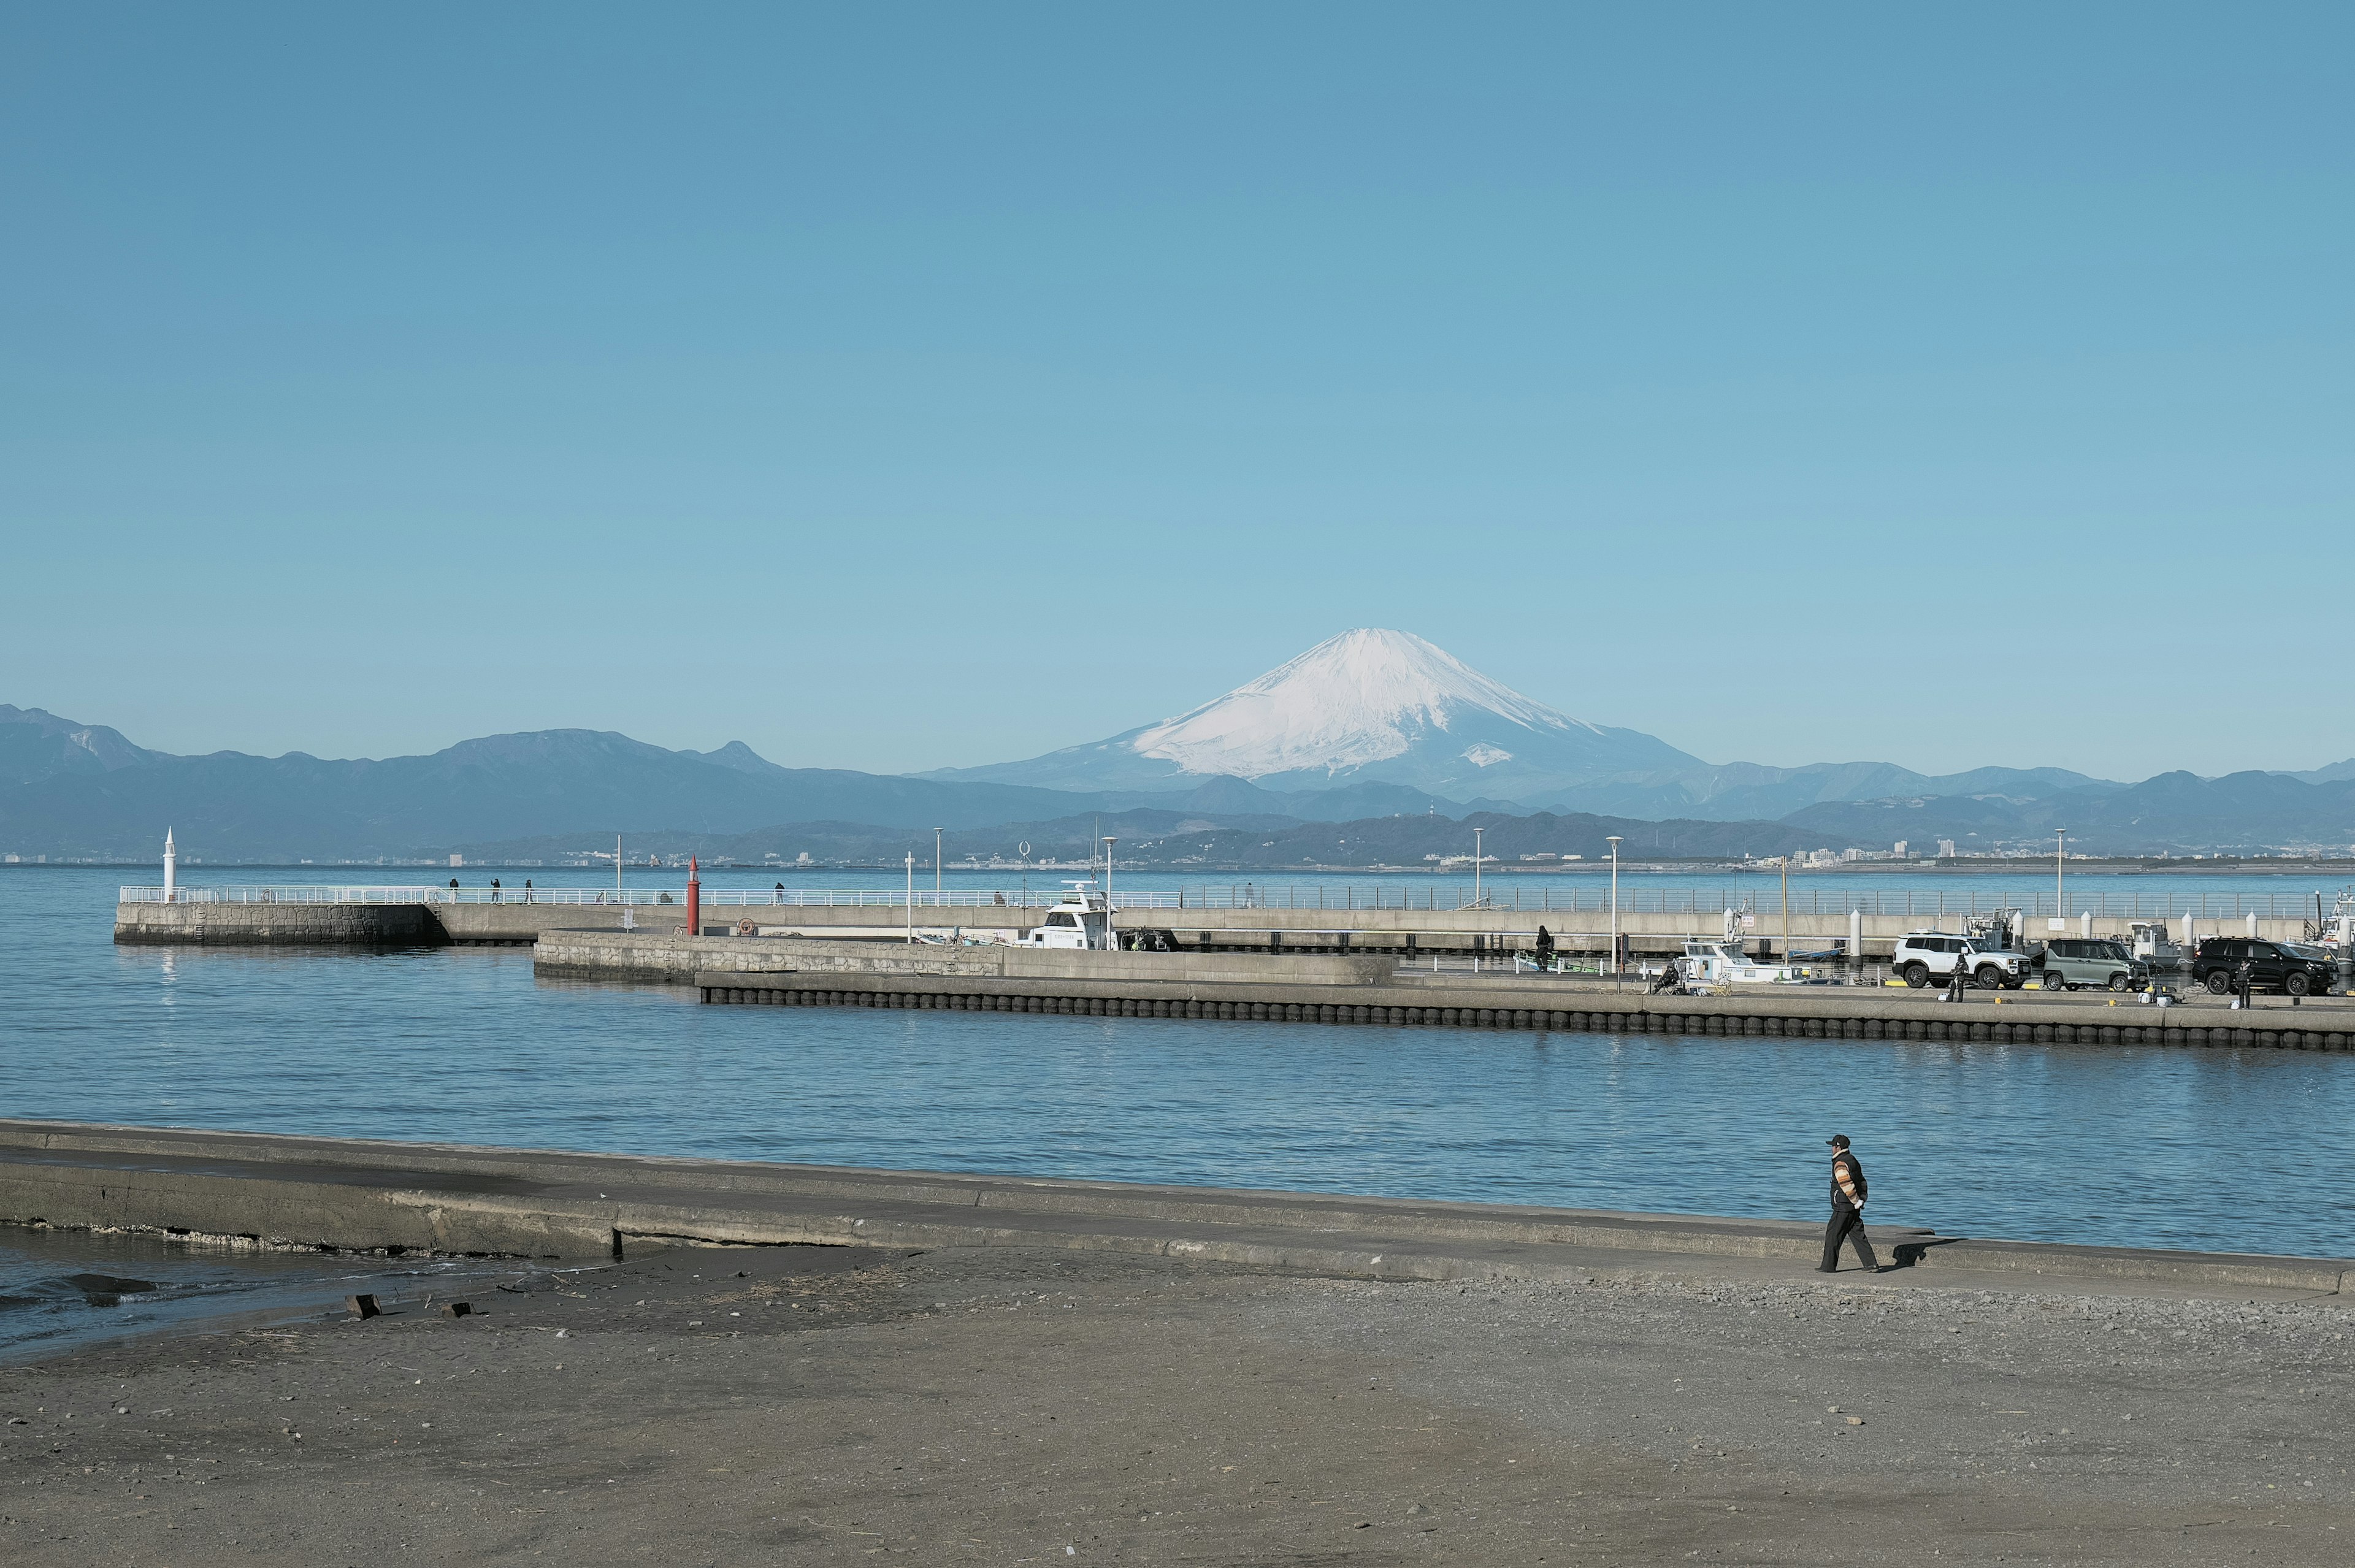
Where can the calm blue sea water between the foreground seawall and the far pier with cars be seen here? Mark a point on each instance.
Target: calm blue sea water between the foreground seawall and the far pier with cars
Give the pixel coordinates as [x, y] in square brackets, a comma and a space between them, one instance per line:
[2142, 1148]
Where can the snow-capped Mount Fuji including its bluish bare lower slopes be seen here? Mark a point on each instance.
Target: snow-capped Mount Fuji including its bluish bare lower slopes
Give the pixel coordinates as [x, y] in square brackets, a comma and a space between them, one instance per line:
[1362, 707]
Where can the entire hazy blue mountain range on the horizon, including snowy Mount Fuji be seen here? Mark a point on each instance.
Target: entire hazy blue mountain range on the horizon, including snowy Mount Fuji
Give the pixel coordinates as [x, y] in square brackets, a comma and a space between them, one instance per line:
[1372, 726]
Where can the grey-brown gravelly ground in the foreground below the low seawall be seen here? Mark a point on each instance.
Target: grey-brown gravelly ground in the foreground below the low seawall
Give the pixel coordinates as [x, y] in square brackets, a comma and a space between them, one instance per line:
[1004, 1407]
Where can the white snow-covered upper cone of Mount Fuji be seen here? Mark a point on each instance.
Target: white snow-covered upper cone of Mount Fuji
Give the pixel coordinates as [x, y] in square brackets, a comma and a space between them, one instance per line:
[1348, 703]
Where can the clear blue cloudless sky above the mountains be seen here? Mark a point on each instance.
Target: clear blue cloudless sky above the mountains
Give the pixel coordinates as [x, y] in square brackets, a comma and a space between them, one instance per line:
[896, 387]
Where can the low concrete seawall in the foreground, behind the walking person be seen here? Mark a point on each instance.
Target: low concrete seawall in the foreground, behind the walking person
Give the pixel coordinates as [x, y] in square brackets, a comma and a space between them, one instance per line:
[324, 1192]
